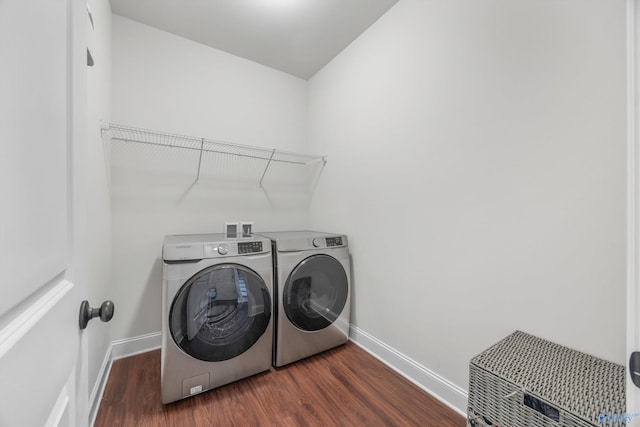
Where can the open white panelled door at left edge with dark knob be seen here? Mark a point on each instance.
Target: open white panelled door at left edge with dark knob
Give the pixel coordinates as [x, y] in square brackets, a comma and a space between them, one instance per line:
[42, 103]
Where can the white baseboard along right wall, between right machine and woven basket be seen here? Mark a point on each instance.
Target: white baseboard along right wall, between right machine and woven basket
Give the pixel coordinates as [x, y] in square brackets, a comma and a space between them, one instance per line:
[434, 384]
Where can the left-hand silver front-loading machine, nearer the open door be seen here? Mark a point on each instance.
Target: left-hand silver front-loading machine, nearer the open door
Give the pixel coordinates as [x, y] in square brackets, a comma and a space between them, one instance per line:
[217, 323]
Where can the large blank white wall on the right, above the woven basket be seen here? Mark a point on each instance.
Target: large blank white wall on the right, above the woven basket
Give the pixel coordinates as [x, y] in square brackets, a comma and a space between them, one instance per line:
[477, 157]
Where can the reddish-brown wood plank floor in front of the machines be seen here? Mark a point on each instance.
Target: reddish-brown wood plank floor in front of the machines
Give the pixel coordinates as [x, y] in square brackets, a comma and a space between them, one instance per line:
[345, 386]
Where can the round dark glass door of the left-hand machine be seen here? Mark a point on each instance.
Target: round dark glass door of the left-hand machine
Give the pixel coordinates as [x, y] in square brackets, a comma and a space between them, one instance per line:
[220, 312]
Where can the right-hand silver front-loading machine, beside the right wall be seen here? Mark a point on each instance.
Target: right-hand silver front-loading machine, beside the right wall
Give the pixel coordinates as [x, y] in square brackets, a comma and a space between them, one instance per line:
[312, 273]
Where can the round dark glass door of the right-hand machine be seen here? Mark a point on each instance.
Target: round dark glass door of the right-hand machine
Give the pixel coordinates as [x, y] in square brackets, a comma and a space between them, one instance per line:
[315, 293]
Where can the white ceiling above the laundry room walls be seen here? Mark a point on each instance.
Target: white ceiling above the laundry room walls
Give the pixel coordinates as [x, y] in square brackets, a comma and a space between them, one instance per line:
[298, 37]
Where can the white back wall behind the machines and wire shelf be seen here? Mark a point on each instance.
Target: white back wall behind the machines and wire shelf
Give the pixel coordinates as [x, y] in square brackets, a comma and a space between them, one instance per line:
[167, 83]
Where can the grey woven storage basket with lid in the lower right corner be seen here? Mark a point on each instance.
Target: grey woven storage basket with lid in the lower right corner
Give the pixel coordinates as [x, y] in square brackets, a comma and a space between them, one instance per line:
[568, 388]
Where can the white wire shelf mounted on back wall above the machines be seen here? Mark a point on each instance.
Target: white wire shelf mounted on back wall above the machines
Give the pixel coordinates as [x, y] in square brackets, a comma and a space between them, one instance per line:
[209, 157]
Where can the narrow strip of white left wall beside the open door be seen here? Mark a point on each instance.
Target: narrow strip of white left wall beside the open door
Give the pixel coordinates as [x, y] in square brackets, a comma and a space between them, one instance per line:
[99, 202]
